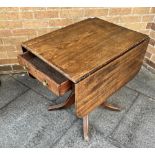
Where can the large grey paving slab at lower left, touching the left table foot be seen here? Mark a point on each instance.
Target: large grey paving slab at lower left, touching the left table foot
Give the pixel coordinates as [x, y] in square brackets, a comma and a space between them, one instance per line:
[26, 122]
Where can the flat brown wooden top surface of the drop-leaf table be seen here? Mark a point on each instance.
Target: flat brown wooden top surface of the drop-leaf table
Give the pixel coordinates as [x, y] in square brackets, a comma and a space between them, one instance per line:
[80, 49]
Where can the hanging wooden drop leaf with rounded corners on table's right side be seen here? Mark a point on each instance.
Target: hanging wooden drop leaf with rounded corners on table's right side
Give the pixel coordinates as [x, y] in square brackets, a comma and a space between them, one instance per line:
[95, 89]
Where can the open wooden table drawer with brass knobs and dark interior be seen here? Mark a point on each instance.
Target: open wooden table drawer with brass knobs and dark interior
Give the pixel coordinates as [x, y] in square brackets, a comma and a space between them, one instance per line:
[50, 78]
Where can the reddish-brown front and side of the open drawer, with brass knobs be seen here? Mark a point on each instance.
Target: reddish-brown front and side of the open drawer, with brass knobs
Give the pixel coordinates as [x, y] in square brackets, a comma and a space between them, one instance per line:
[57, 88]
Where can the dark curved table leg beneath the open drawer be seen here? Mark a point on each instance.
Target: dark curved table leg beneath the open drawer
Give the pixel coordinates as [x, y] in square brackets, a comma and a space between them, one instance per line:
[66, 104]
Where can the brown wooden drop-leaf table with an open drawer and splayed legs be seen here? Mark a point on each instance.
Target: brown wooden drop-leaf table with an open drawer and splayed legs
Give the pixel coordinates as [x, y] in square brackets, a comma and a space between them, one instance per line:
[93, 57]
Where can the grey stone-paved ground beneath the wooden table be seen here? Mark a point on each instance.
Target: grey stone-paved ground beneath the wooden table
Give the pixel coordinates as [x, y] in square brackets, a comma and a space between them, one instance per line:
[25, 121]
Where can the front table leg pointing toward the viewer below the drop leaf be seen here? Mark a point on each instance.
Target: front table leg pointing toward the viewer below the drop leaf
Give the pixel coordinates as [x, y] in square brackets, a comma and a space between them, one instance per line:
[85, 128]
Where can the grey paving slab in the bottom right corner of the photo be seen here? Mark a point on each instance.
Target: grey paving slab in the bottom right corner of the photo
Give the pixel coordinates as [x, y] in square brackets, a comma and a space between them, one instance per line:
[138, 127]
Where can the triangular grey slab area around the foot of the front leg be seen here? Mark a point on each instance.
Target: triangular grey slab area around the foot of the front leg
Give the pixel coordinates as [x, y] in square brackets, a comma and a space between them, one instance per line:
[74, 138]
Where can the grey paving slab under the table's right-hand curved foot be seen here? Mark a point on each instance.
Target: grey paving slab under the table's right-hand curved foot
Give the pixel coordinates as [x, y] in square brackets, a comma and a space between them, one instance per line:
[105, 120]
